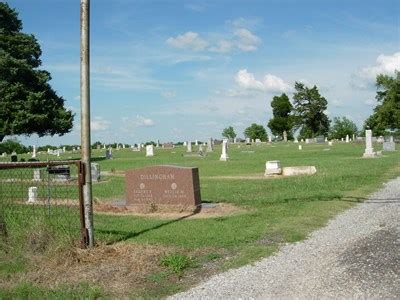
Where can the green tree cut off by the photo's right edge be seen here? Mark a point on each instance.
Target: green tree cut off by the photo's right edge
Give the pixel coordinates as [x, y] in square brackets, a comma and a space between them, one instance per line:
[387, 113]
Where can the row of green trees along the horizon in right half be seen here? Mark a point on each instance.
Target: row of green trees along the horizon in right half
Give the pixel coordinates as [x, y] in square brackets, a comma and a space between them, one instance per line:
[306, 114]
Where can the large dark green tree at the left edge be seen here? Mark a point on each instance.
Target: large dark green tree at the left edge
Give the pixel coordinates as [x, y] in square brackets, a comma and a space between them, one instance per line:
[28, 104]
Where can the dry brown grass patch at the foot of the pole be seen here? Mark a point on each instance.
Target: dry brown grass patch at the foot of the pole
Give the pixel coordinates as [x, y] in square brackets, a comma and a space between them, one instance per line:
[117, 268]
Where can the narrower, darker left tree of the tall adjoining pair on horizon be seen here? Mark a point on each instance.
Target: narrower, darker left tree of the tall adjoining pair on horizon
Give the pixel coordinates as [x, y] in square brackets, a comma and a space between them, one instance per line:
[282, 119]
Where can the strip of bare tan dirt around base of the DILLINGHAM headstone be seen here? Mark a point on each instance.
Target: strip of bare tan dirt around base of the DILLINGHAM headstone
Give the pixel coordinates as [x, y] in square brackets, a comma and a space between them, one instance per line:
[210, 210]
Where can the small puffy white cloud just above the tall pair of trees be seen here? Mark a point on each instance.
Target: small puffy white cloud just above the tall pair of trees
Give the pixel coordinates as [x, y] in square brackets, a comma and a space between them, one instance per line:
[270, 83]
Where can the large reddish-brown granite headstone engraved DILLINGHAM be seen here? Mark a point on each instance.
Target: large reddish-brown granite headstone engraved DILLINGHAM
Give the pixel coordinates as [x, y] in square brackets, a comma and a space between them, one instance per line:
[160, 188]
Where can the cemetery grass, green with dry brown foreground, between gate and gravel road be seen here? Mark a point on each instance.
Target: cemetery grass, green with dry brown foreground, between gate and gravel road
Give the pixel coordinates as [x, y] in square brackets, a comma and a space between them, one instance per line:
[168, 255]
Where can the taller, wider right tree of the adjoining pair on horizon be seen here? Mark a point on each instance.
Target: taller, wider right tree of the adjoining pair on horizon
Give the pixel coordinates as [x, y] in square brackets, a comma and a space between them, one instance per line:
[309, 107]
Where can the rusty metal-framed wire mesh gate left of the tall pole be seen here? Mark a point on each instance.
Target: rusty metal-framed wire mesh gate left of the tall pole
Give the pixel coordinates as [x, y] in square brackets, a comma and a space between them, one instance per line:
[42, 196]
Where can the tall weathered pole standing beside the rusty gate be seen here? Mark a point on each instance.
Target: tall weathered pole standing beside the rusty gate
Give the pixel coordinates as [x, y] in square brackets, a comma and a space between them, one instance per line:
[85, 118]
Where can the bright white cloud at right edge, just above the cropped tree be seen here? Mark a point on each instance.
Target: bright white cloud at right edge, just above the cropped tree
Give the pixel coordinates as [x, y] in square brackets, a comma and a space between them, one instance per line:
[385, 64]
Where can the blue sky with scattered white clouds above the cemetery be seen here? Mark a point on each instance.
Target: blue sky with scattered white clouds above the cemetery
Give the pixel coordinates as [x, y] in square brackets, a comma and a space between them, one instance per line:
[185, 70]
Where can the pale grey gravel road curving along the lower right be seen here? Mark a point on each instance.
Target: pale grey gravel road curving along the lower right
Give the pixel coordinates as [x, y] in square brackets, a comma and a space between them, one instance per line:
[357, 255]
